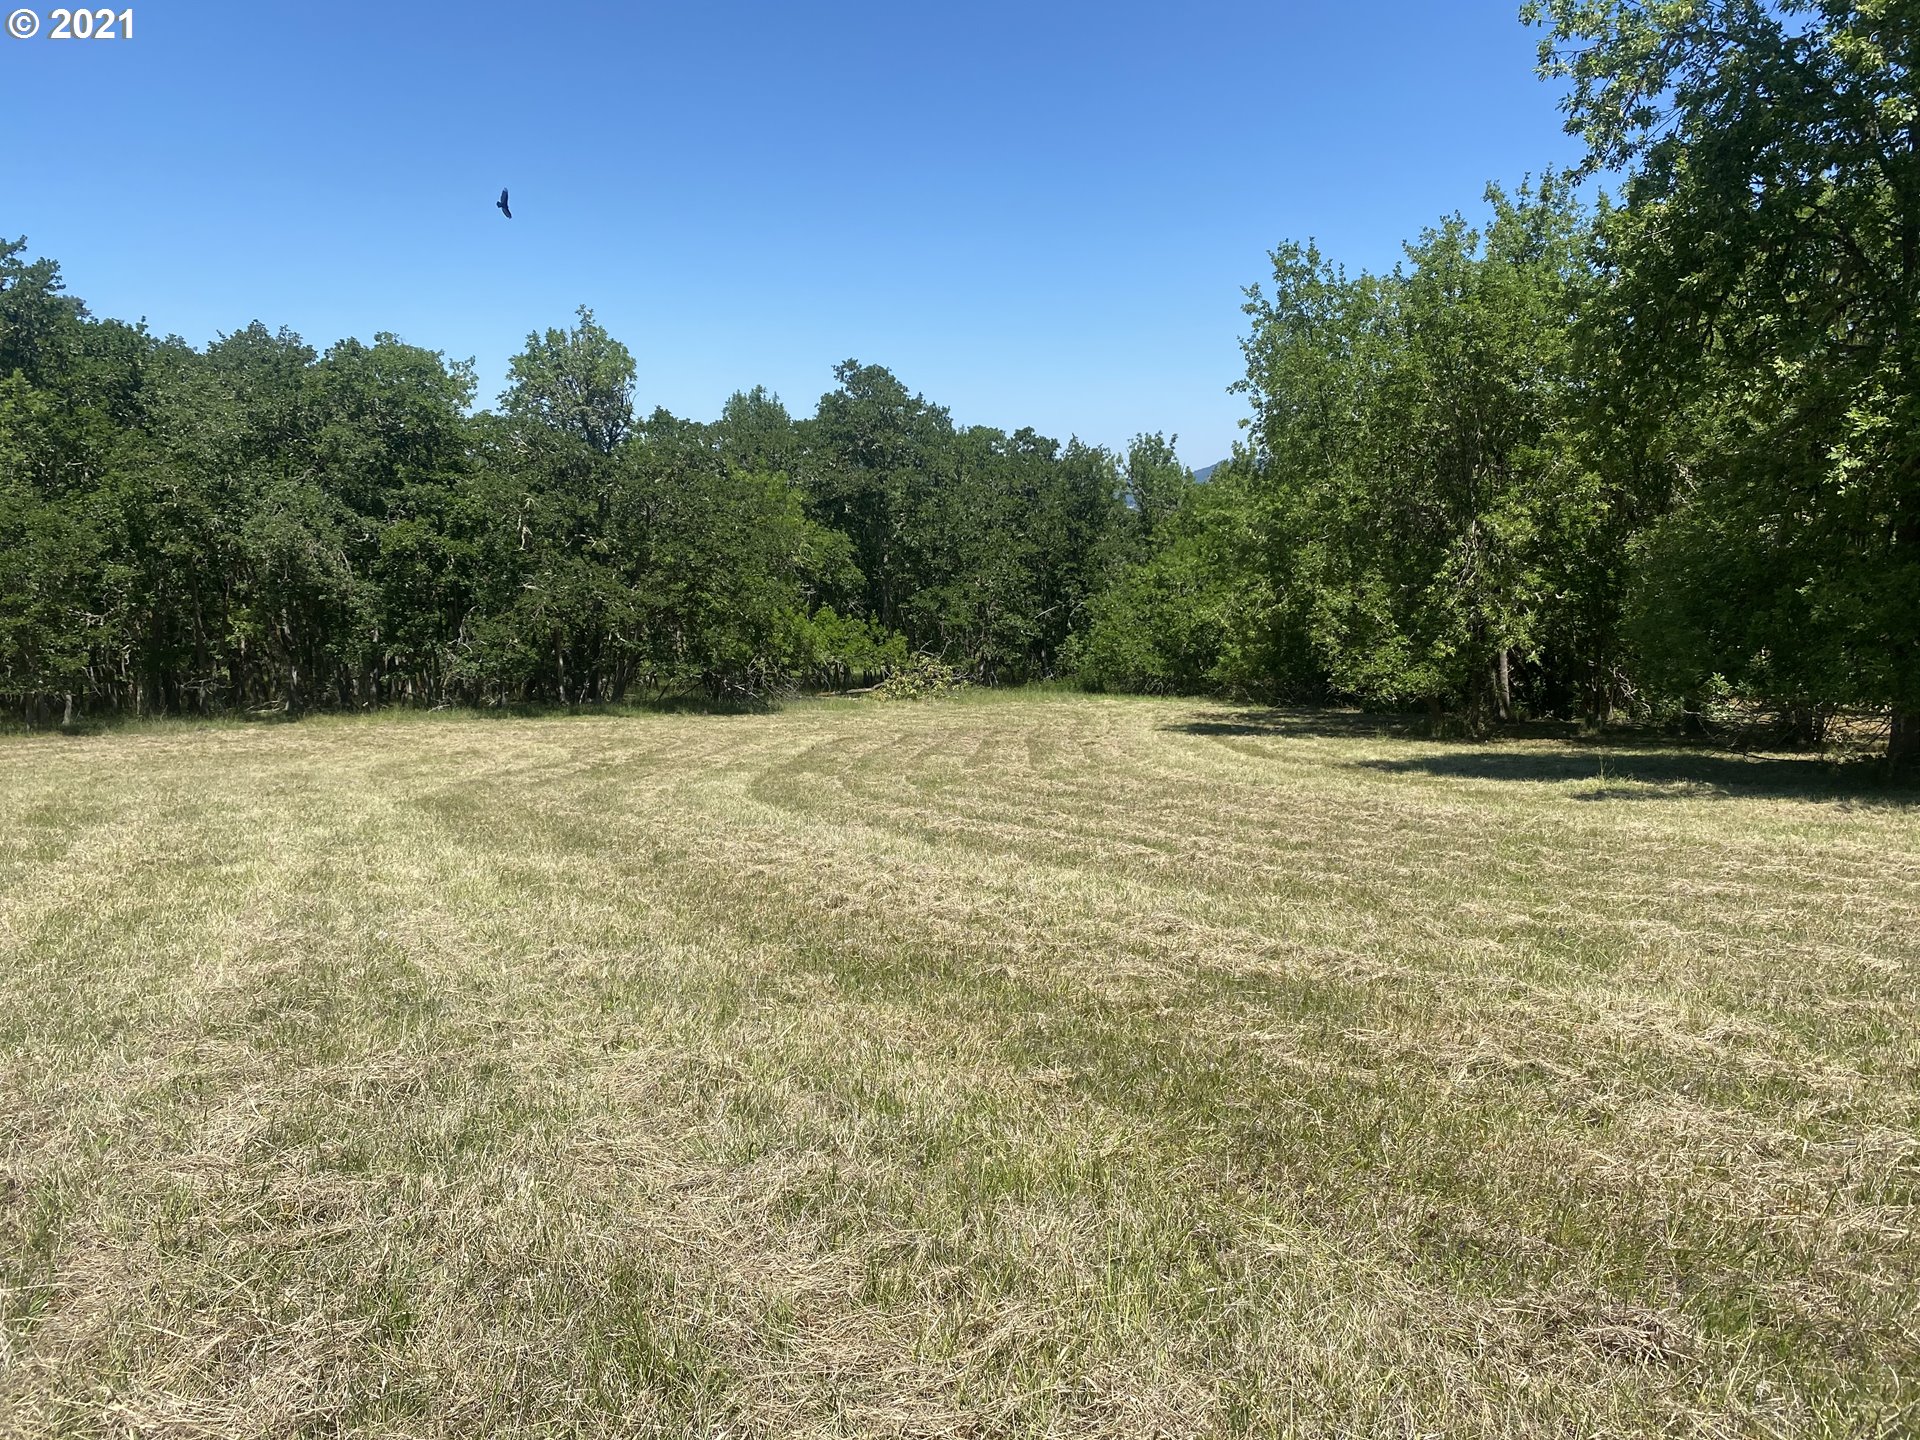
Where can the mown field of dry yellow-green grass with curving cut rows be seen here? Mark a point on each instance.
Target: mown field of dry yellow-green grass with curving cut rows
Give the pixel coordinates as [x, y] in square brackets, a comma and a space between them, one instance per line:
[1019, 1067]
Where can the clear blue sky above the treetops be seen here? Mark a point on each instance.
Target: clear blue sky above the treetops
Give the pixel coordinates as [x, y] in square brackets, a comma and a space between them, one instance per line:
[1038, 214]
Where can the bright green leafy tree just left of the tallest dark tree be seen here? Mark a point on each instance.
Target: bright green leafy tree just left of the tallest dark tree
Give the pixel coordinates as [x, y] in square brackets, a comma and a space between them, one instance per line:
[1414, 492]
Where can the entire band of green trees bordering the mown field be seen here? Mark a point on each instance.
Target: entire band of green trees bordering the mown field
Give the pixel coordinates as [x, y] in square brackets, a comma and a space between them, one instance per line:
[1639, 456]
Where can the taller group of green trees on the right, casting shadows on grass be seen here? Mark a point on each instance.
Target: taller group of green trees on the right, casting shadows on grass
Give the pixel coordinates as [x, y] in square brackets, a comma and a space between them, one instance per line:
[1644, 456]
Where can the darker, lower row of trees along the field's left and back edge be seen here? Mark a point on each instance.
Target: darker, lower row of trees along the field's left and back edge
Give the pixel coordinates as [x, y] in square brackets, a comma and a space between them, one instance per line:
[262, 525]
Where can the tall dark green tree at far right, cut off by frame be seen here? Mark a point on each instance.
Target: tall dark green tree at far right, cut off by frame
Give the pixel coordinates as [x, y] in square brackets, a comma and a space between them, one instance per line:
[1765, 281]
